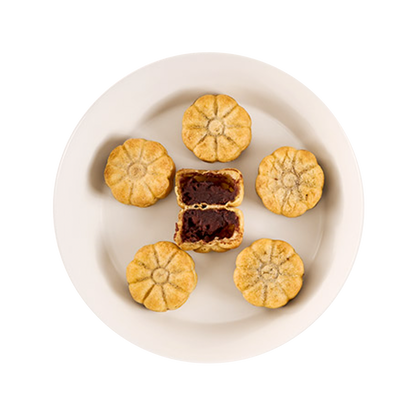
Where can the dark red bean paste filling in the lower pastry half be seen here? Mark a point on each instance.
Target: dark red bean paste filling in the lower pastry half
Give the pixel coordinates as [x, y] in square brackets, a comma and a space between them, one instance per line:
[208, 224]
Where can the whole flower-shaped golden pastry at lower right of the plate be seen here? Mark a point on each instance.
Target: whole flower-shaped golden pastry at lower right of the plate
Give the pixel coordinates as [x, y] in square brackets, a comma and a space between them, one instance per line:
[269, 273]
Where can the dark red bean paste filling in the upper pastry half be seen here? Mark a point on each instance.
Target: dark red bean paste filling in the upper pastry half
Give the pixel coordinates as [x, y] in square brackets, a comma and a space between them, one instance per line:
[208, 188]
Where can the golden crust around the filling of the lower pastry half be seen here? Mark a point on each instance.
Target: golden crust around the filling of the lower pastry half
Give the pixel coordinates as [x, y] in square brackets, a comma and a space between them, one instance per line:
[218, 243]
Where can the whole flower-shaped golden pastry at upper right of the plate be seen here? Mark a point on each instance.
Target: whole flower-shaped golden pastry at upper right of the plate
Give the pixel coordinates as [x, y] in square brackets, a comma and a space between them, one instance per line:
[290, 181]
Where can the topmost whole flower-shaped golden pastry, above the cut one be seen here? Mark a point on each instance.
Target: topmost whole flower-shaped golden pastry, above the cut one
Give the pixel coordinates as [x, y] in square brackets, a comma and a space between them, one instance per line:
[216, 128]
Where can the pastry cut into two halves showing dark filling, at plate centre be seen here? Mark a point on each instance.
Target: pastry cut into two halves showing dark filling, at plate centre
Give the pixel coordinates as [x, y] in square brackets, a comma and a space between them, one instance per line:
[209, 220]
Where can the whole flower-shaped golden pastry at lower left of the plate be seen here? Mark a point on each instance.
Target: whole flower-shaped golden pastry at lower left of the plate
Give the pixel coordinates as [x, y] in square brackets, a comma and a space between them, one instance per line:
[161, 276]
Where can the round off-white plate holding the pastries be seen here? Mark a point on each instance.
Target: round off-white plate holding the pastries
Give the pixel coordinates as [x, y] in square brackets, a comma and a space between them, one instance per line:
[96, 236]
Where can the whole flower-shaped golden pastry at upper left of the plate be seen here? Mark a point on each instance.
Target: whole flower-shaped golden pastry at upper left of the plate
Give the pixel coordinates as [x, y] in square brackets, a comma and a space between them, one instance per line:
[139, 172]
